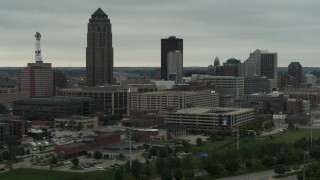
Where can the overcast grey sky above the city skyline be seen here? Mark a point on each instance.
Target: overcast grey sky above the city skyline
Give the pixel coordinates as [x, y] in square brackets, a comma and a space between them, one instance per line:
[209, 28]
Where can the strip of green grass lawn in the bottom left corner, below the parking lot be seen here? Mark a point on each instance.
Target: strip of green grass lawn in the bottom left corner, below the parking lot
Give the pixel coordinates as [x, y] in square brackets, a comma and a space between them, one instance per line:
[35, 174]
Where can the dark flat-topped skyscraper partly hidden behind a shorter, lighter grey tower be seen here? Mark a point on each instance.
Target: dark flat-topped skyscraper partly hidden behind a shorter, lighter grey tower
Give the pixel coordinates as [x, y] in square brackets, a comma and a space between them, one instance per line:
[170, 44]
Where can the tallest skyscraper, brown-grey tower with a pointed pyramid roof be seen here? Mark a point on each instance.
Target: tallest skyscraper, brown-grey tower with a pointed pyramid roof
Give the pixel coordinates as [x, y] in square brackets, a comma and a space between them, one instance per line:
[99, 51]
